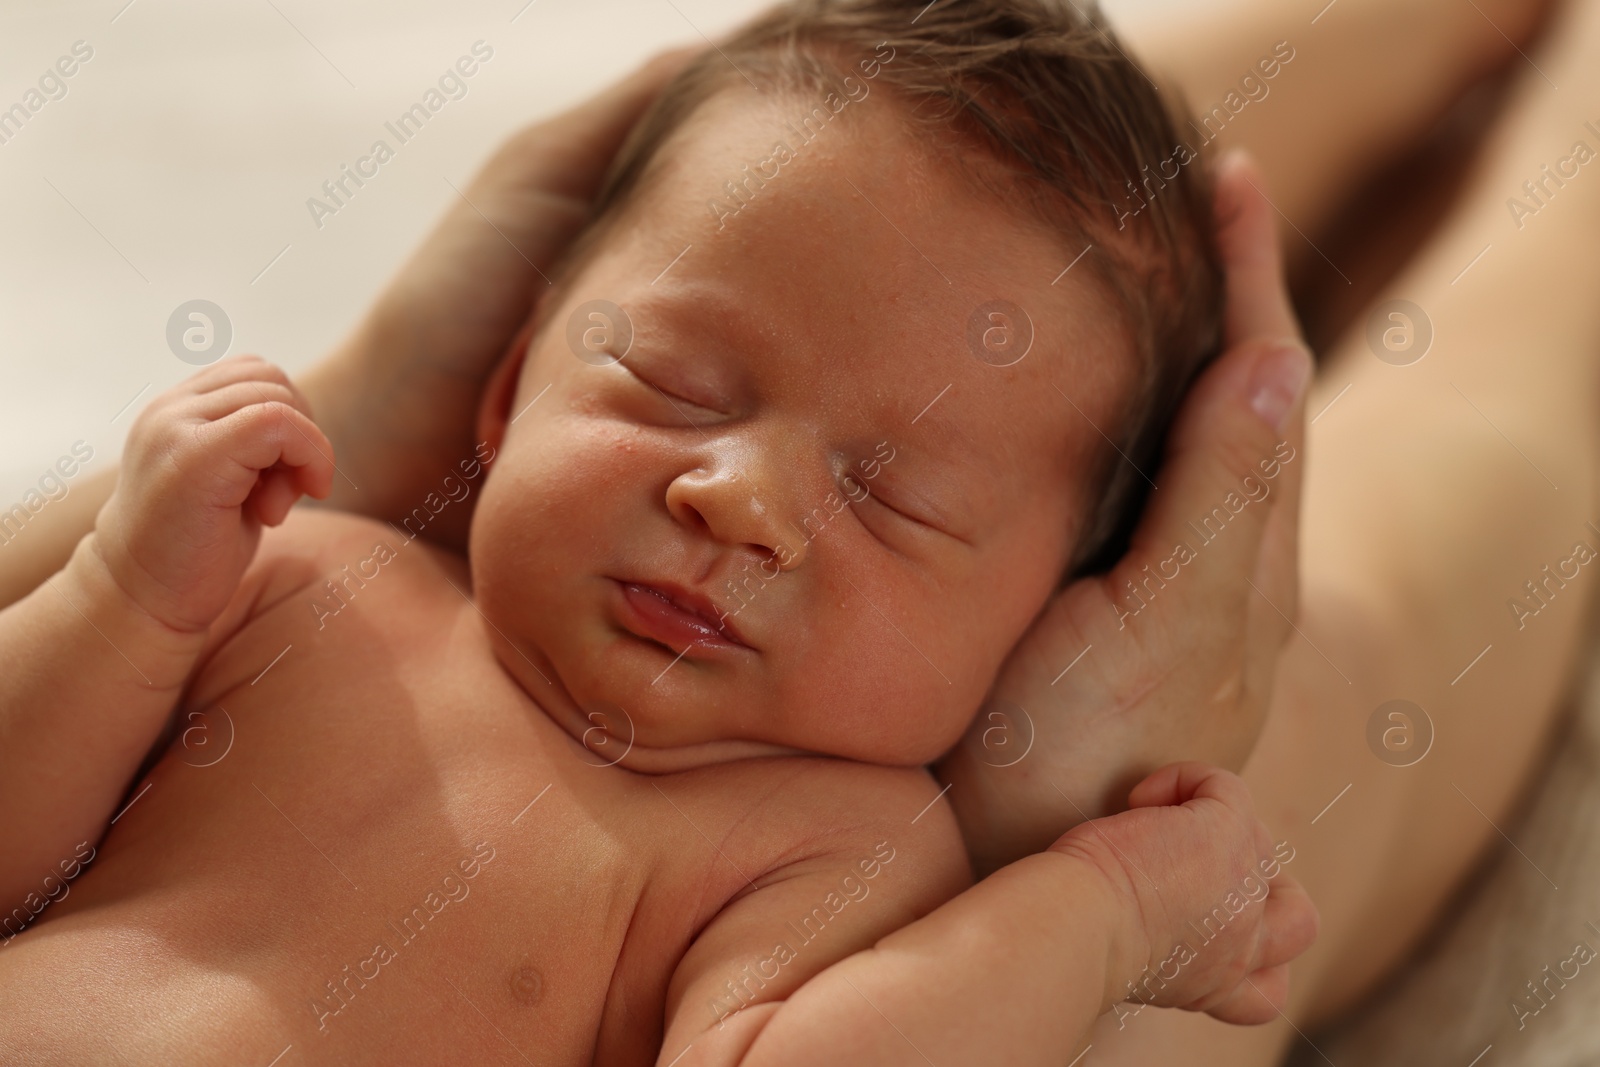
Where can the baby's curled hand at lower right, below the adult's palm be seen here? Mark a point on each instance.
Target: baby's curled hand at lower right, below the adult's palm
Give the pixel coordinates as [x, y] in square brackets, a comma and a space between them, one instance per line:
[1210, 921]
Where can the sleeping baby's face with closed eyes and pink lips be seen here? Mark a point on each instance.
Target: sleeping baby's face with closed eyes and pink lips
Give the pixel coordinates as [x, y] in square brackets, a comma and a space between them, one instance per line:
[801, 514]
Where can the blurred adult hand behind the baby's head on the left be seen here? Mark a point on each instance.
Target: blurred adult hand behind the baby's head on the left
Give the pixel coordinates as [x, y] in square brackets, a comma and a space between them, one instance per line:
[399, 398]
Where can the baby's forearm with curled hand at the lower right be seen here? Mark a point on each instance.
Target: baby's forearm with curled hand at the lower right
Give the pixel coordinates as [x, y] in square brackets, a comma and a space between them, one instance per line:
[1017, 969]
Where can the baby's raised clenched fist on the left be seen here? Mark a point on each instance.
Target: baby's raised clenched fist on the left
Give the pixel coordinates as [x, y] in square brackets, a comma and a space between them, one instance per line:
[207, 465]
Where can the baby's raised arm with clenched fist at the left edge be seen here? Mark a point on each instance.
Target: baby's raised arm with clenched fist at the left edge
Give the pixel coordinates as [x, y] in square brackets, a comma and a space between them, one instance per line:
[94, 661]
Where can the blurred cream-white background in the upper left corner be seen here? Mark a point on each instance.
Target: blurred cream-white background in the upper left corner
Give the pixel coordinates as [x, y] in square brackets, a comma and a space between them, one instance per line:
[180, 161]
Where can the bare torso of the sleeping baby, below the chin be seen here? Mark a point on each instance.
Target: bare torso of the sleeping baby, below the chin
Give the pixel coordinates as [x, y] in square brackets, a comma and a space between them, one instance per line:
[367, 845]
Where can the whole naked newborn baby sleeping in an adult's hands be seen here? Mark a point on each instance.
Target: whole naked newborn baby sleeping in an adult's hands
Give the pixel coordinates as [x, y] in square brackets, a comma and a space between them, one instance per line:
[874, 326]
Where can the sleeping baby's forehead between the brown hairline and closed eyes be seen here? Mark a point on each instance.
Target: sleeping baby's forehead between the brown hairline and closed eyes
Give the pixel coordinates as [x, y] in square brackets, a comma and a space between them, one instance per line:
[852, 265]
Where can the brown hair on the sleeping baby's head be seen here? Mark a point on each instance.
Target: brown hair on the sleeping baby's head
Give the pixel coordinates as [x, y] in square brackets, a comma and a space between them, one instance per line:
[1078, 129]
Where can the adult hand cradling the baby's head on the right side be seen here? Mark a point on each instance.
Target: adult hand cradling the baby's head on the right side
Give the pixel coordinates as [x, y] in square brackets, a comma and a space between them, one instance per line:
[1172, 655]
